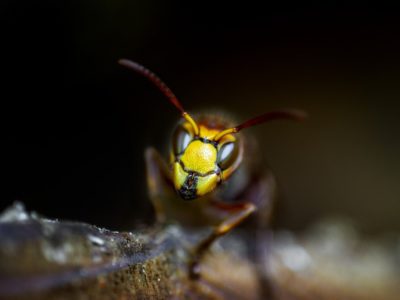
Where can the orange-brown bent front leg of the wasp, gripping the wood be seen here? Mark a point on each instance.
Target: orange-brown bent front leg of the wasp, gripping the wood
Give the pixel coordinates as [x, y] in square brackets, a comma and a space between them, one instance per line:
[226, 226]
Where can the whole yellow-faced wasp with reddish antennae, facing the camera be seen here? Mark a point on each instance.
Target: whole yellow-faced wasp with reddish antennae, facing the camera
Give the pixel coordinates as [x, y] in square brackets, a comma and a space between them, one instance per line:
[213, 175]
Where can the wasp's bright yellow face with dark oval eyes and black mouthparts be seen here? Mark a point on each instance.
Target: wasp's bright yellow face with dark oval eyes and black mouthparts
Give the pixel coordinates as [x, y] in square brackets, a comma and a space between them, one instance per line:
[200, 164]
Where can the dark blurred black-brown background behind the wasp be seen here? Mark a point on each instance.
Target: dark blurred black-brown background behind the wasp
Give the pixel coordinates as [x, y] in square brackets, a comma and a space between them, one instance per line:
[75, 124]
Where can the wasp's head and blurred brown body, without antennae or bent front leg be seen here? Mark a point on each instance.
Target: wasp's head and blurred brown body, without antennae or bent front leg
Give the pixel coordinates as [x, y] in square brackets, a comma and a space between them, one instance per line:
[205, 182]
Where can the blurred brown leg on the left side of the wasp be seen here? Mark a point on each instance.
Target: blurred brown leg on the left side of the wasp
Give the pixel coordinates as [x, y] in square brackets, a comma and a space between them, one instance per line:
[158, 182]
